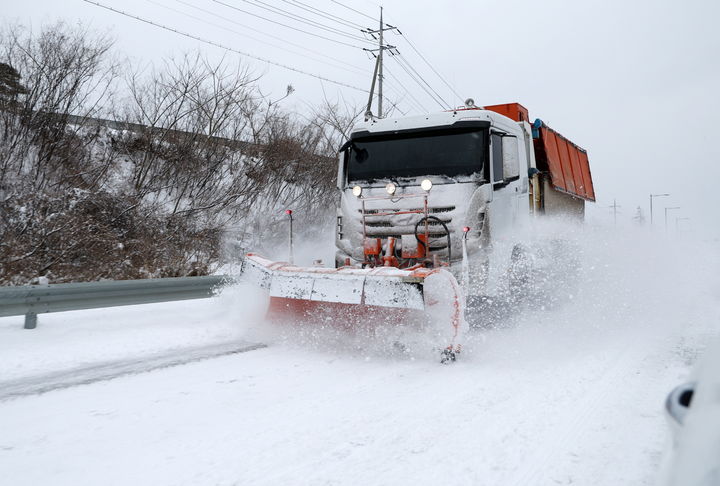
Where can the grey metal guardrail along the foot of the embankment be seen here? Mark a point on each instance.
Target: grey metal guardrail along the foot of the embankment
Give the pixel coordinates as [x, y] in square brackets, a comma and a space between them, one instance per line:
[32, 300]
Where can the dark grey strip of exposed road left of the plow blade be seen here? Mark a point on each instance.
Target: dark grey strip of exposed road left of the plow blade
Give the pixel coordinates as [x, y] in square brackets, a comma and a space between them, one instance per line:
[86, 375]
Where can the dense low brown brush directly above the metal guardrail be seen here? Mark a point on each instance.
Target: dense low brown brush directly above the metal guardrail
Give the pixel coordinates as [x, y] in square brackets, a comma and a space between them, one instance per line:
[98, 236]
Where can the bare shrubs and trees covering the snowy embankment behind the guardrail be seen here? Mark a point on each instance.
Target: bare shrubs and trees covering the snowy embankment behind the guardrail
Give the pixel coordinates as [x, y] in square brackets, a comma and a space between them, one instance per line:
[194, 150]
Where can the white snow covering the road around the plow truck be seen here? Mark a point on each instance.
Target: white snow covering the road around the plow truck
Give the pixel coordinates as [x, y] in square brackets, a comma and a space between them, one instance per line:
[570, 394]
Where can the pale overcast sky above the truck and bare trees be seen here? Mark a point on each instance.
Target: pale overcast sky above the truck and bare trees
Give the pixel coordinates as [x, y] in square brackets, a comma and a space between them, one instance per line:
[635, 83]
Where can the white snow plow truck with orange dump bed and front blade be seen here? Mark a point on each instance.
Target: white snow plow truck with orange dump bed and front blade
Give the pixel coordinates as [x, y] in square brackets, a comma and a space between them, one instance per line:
[424, 203]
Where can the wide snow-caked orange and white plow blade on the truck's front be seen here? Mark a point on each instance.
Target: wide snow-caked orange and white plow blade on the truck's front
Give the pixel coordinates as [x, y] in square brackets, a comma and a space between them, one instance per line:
[422, 297]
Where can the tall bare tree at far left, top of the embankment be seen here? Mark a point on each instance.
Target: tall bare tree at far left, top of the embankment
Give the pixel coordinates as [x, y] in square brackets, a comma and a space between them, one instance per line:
[68, 75]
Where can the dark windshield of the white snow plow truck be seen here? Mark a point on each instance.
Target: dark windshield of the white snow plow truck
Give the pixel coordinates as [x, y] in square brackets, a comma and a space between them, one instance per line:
[451, 153]
